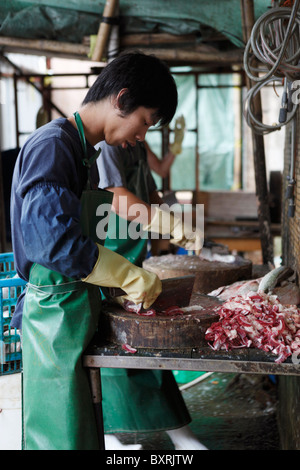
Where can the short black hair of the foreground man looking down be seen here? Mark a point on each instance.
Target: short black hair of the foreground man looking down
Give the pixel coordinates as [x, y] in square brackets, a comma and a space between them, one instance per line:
[148, 80]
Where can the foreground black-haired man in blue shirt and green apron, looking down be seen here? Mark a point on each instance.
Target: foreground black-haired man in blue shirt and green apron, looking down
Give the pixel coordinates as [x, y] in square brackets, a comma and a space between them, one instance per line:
[56, 252]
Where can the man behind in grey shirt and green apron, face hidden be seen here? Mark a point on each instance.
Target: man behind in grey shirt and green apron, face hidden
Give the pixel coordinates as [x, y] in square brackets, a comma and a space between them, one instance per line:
[137, 400]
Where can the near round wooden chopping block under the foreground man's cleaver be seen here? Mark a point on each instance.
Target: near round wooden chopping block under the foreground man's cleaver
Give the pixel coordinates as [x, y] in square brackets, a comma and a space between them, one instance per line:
[160, 331]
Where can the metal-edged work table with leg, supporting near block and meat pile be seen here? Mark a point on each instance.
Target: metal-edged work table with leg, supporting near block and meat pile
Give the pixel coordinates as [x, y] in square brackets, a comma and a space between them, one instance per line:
[252, 361]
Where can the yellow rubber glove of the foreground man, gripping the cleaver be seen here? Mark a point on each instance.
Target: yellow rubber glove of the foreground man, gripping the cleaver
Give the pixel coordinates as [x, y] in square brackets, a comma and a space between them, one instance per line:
[113, 270]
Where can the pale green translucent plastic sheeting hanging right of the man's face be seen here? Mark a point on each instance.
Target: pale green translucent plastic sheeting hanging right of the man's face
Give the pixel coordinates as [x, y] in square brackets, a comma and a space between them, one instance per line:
[215, 120]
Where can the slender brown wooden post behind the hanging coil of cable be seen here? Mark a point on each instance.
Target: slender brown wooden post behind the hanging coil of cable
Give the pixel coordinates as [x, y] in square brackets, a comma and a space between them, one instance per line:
[263, 210]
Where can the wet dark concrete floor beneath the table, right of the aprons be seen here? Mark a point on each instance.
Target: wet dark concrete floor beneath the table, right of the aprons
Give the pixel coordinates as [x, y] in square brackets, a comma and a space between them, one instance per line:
[229, 412]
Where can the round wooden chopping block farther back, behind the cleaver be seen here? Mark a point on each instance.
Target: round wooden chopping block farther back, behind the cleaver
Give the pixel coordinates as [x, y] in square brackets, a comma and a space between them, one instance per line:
[208, 274]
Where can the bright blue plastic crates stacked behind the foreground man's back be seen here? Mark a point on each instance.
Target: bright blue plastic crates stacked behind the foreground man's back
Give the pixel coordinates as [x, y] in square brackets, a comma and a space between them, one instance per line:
[10, 289]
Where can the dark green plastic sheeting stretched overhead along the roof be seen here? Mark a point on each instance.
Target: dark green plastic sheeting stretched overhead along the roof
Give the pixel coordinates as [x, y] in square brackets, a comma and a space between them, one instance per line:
[74, 19]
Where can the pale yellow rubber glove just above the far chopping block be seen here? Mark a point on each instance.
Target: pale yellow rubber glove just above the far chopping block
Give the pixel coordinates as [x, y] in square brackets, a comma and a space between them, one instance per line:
[182, 234]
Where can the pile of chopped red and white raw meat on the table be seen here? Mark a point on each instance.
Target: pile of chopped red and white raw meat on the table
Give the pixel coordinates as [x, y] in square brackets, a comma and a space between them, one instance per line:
[258, 320]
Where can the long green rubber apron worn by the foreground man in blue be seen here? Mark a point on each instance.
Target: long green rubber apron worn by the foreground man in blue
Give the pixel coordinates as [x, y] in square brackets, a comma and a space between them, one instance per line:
[59, 320]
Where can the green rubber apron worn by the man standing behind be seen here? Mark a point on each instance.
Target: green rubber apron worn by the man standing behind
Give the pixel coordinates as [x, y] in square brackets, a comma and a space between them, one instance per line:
[138, 400]
